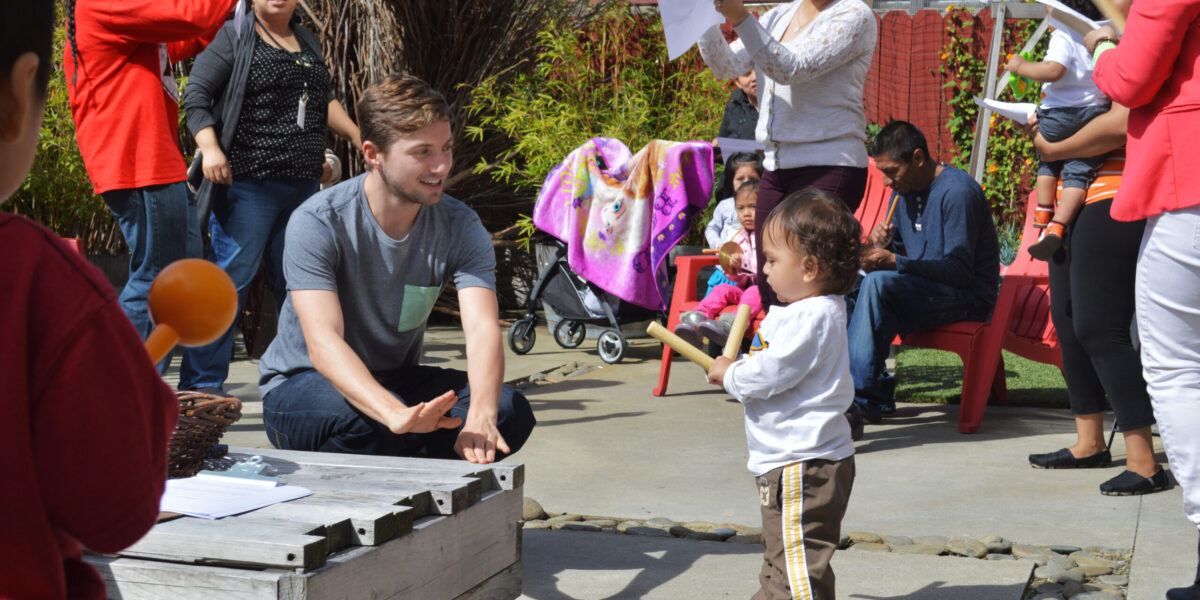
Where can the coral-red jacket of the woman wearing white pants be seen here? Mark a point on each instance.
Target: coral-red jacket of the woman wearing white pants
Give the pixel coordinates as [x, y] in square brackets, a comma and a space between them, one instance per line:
[1154, 73]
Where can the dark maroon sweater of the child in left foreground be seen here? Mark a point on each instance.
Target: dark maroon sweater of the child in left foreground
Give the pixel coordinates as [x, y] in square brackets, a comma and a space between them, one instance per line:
[85, 419]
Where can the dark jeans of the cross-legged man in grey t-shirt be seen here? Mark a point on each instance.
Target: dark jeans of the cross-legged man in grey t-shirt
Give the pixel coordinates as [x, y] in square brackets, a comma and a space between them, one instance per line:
[308, 413]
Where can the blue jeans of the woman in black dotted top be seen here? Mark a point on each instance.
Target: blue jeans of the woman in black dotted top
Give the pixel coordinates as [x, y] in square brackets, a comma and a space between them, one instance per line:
[248, 225]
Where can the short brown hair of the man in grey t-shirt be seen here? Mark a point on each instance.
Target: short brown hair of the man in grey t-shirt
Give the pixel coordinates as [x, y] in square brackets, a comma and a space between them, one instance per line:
[399, 106]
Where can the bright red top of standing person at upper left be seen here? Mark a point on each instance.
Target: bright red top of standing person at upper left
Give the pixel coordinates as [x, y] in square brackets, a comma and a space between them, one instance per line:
[127, 122]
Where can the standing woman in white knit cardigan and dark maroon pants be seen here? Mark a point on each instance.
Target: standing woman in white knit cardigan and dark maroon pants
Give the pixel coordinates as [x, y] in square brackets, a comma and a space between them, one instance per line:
[811, 58]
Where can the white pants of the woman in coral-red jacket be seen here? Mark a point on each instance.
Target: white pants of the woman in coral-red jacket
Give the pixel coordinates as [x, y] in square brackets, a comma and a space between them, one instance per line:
[1168, 297]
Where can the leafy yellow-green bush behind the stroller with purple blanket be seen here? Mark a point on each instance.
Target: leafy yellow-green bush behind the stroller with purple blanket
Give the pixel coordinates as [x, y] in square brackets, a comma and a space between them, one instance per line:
[610, 80]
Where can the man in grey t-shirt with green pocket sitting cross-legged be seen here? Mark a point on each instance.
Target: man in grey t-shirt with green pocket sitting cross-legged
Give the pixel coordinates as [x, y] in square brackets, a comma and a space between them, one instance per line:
[365, 262]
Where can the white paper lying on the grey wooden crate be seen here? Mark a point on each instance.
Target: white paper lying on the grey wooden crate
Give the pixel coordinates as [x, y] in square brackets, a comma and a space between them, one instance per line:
[221, 497]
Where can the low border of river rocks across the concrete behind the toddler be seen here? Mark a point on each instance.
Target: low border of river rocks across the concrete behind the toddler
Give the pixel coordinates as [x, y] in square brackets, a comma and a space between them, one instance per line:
[1063, 573]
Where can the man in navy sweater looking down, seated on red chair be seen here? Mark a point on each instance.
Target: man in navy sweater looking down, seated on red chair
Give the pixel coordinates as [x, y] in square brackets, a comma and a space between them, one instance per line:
[938, 262]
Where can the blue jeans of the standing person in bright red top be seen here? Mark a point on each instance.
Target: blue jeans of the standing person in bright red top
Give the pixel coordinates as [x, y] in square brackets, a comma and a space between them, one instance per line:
[160, 225]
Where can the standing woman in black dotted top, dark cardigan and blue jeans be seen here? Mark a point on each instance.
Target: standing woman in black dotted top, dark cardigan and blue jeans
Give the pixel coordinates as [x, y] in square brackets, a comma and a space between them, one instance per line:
[260, 101]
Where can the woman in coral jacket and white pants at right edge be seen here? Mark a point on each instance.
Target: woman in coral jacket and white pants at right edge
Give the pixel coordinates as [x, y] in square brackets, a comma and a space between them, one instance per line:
[1153, 70]
